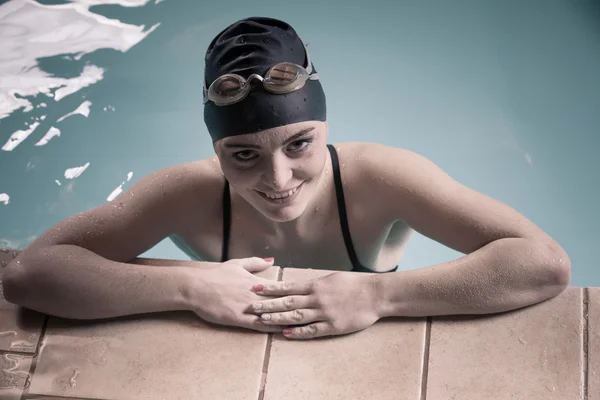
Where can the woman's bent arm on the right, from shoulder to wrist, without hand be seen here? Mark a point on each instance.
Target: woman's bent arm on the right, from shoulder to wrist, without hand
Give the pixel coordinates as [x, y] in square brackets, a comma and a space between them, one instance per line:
[509, 263]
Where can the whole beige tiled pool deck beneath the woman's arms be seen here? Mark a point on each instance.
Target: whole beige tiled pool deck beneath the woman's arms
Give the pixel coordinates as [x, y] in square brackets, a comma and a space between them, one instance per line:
[547, 351]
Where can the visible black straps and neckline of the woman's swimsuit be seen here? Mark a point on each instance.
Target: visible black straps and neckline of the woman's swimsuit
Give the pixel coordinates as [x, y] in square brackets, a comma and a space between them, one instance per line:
[339, 191]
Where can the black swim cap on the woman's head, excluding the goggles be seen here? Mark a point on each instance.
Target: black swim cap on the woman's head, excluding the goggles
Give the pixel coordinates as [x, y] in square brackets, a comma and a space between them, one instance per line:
[253, 46]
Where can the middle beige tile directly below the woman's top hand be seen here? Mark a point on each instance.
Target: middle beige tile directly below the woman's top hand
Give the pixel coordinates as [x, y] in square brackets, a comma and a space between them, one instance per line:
[381, 362]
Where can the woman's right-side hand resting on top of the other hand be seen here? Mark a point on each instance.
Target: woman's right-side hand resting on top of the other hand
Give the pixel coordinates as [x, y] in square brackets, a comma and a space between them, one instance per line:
[339, 303]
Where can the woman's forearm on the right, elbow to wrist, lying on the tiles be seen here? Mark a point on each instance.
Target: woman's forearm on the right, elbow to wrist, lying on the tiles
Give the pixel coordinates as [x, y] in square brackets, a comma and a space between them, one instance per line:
[504, 275]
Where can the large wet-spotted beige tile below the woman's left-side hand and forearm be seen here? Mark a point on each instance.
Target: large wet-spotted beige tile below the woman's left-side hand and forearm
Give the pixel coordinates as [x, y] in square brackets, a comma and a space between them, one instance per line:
[158, 356]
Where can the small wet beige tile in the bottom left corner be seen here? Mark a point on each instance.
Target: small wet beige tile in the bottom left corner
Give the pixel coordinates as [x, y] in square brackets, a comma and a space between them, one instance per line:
[14, 375]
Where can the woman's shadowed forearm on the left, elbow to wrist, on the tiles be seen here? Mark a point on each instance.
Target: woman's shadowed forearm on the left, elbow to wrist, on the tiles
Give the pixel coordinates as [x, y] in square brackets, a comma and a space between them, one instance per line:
[72, 282]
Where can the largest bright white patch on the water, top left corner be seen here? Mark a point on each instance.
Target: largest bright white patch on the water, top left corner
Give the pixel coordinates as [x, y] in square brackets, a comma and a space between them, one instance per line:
[31, 31]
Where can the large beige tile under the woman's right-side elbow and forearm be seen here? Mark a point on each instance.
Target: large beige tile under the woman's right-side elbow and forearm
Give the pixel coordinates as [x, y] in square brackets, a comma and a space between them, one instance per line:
[534, 353]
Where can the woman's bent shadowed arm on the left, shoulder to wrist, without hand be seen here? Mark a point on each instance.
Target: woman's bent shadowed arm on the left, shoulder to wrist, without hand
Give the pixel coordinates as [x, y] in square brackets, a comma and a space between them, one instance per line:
[79, 268]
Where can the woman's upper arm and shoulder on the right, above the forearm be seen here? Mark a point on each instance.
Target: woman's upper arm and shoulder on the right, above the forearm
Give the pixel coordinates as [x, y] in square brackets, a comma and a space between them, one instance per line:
[407, 186]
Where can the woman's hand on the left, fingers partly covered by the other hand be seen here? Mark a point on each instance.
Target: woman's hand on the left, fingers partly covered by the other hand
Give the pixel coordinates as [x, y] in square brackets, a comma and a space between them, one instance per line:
[222, 294]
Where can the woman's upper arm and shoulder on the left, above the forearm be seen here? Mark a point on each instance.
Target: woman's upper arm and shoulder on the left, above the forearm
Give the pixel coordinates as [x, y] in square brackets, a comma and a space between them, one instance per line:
[156, 206]
